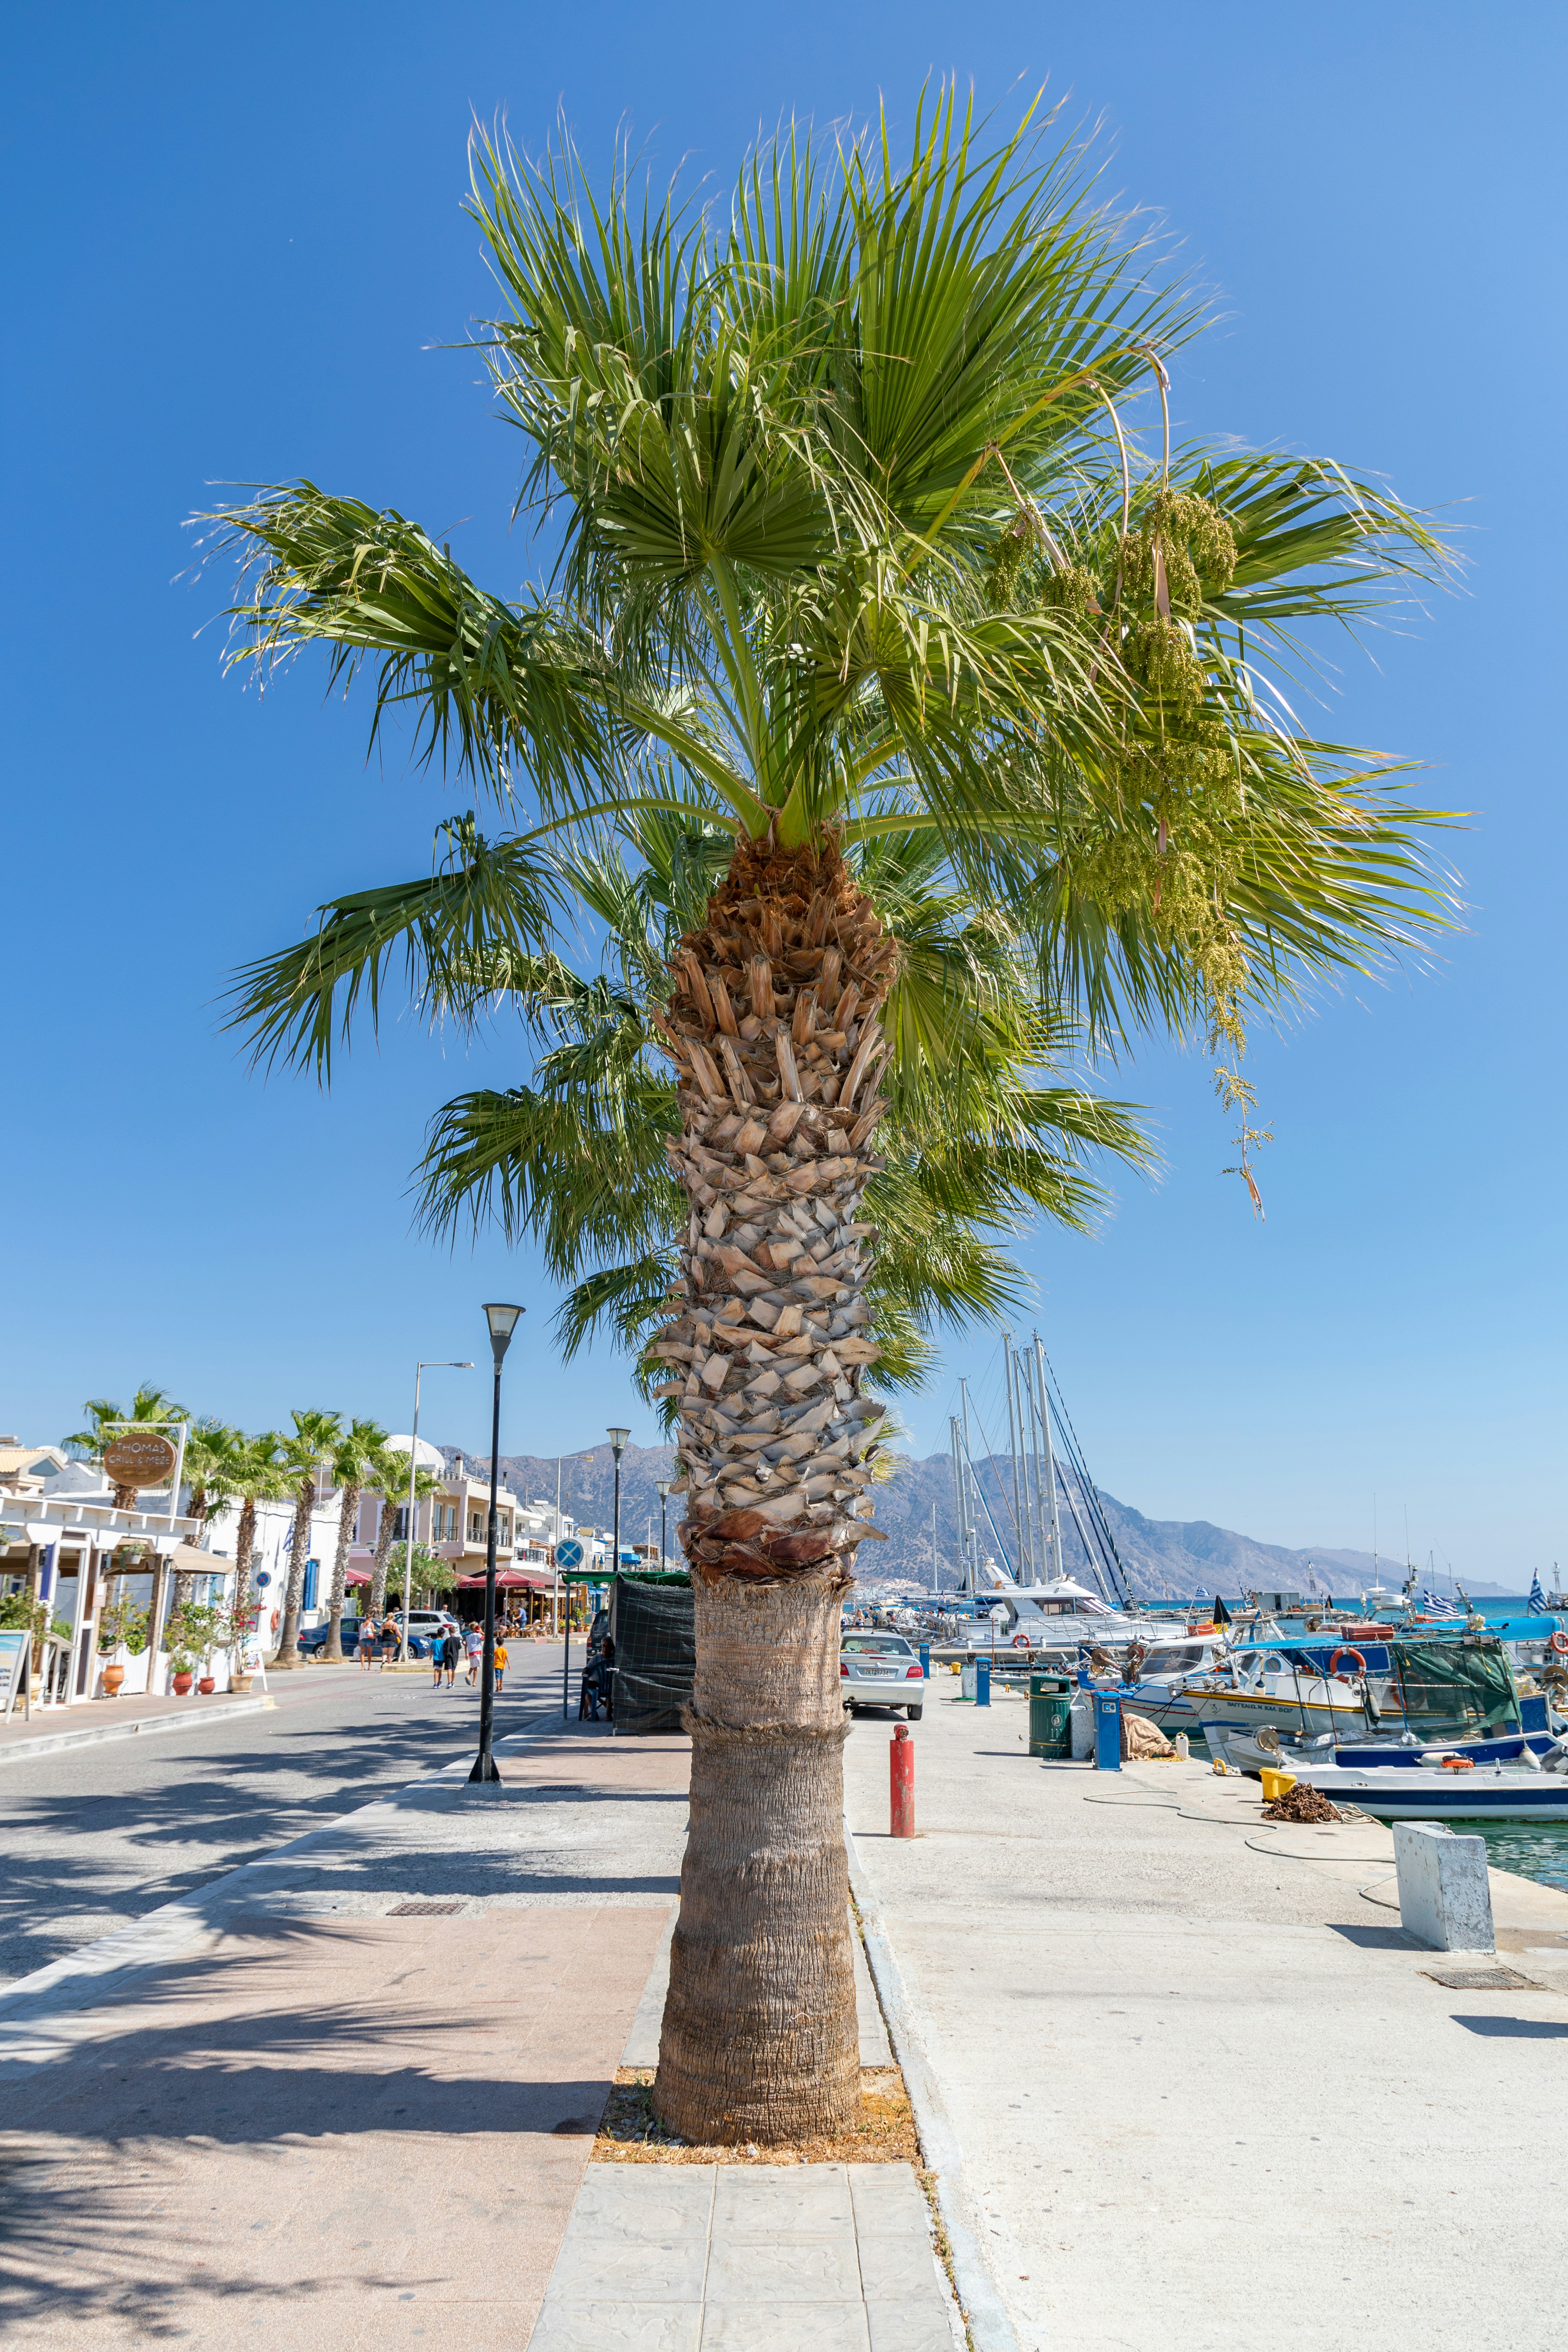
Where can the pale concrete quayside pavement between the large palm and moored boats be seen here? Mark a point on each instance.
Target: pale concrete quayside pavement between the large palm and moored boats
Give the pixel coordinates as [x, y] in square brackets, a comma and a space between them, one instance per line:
[1207, 2092]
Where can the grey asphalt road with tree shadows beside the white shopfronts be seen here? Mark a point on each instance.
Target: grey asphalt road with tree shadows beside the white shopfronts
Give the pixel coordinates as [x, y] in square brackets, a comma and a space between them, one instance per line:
[98, 1836]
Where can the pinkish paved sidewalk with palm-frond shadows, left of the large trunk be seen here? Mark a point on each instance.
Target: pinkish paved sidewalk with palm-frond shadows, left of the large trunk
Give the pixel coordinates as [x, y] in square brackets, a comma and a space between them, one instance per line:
[347, 2094]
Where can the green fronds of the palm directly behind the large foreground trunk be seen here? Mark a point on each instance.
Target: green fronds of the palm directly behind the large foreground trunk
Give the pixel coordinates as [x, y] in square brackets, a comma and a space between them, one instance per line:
[972, 1142]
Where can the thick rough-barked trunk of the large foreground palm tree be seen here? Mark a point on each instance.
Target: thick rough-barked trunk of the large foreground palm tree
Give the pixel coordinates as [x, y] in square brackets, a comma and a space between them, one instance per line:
[777, 1029]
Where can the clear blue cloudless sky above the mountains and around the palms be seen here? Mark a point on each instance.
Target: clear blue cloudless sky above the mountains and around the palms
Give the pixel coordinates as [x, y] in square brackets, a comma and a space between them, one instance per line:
[234, 255]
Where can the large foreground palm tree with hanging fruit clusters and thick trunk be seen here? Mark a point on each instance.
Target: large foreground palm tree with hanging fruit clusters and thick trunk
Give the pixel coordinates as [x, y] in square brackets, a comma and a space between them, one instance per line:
[855, 547]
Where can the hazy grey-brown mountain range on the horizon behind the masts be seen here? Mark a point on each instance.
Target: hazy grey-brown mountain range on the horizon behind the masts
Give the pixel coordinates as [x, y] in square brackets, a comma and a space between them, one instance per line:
[1162, 1558]
